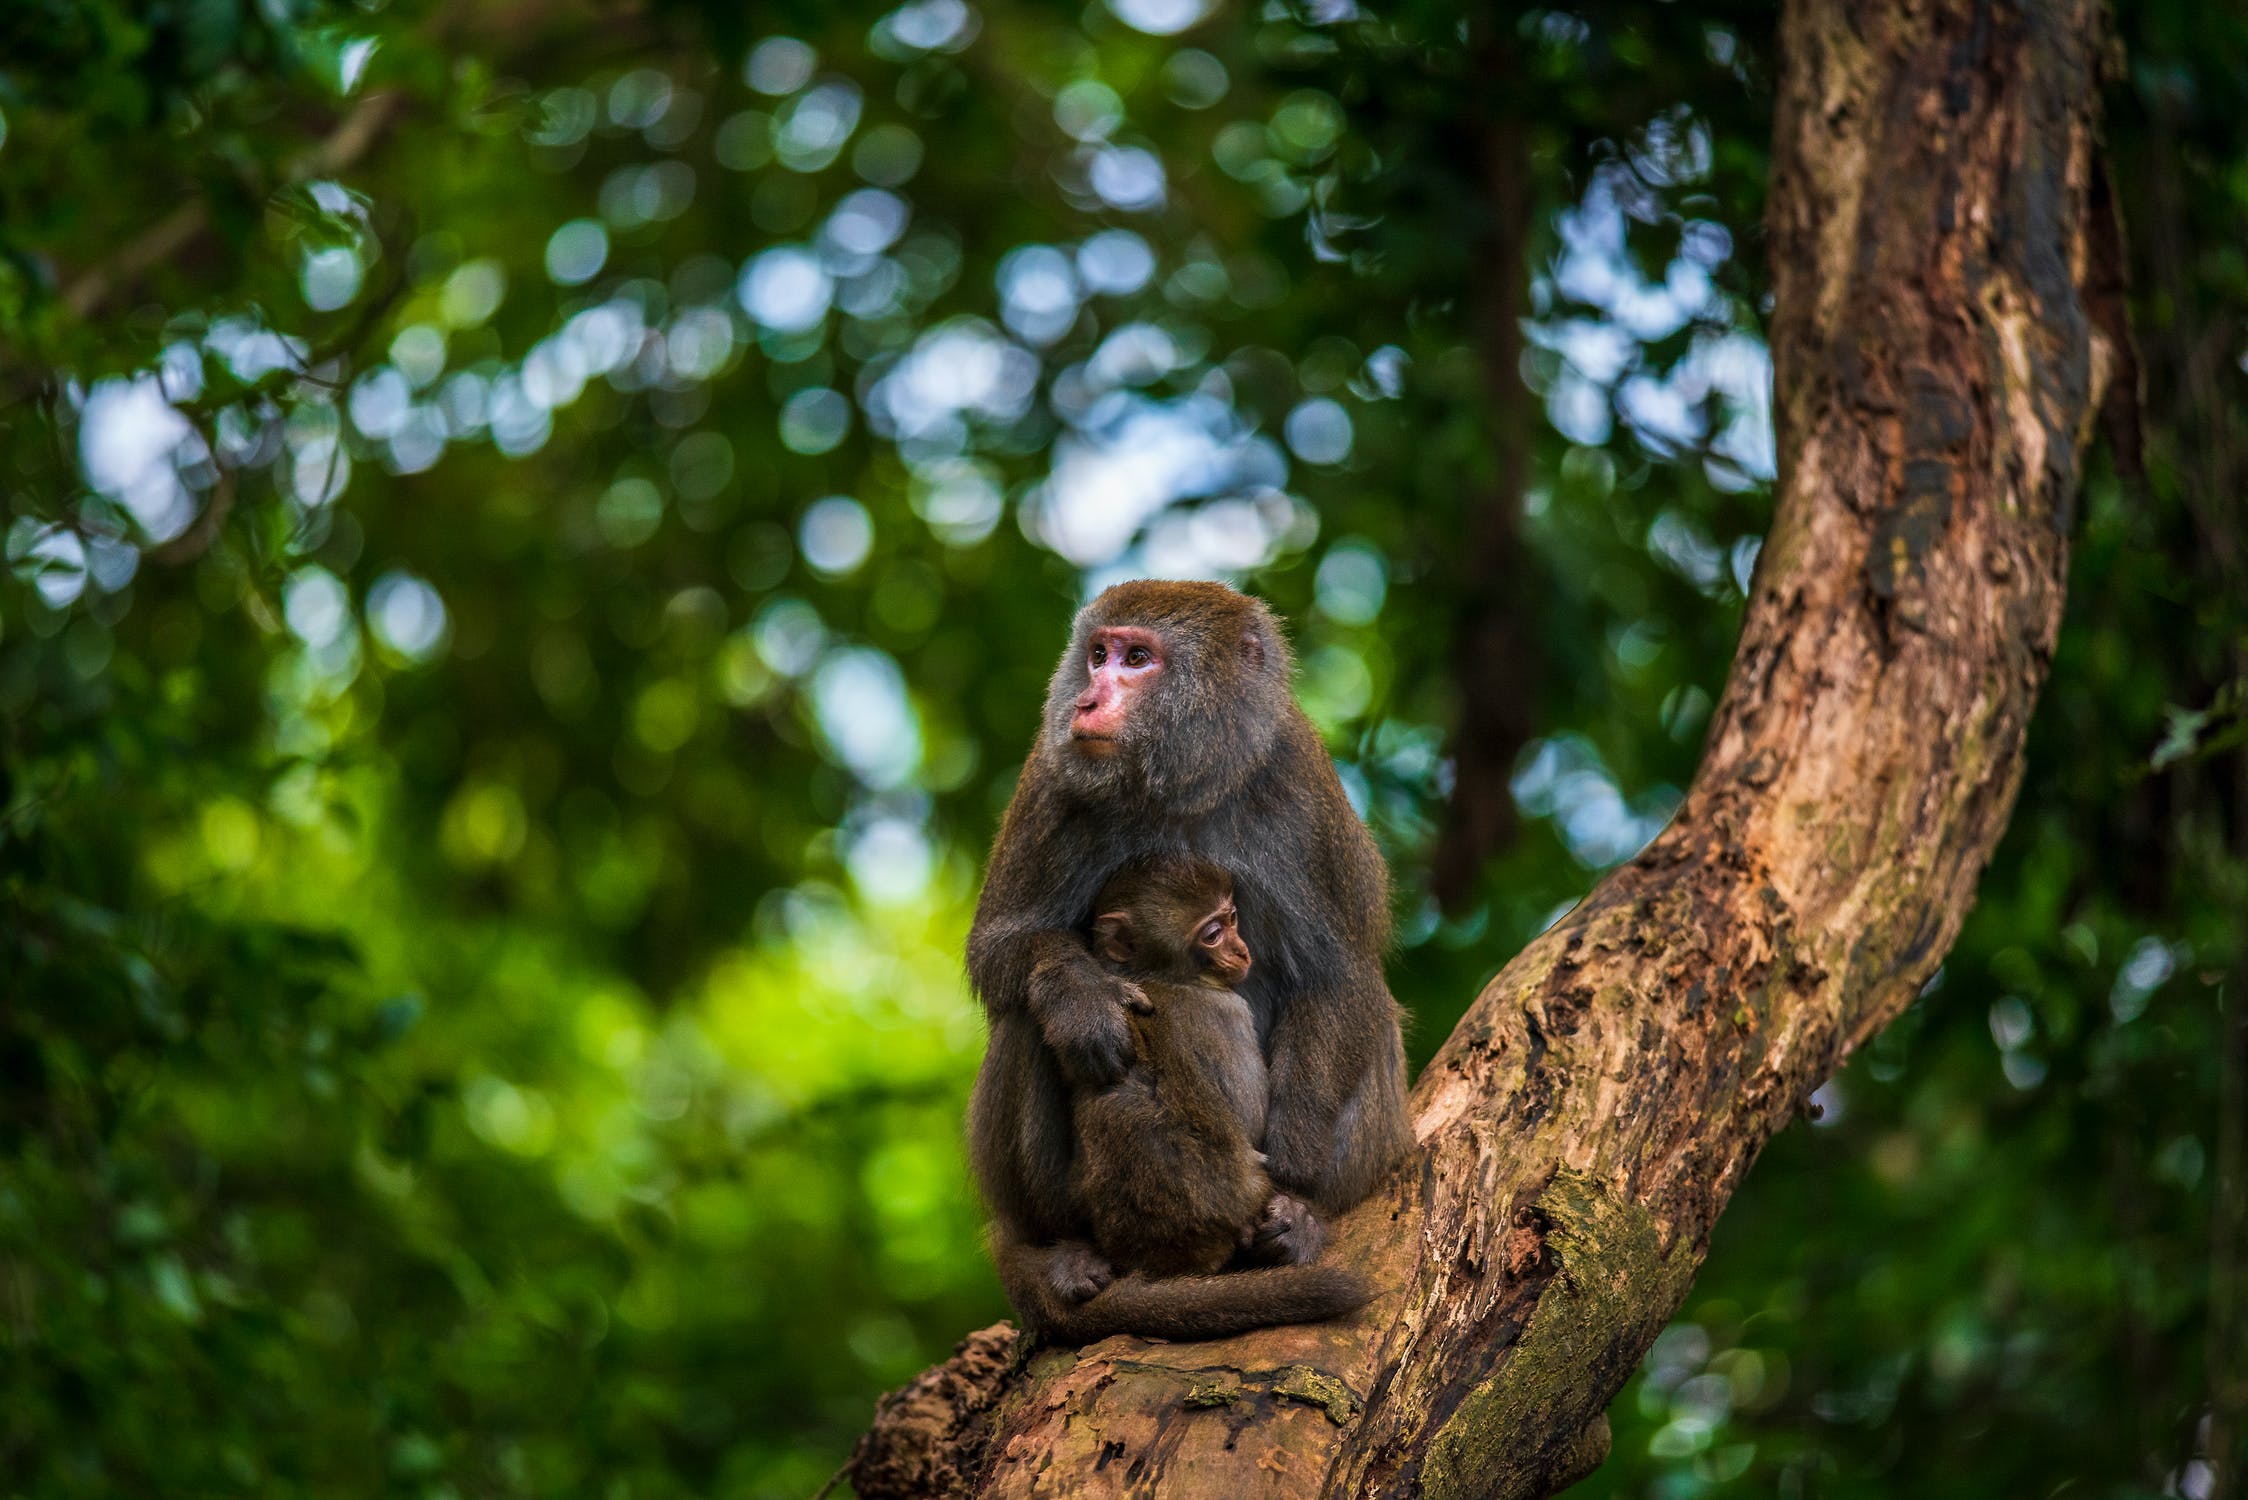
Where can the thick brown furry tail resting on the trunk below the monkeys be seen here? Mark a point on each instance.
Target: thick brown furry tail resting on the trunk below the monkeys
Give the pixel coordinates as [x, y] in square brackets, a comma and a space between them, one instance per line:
[1211, 1305]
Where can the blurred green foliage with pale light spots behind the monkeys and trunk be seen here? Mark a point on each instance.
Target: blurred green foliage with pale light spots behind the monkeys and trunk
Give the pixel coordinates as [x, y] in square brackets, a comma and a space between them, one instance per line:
[534, 539]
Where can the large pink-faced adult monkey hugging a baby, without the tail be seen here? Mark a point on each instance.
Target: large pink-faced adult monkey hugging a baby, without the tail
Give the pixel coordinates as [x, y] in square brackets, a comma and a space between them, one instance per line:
[1170, 725]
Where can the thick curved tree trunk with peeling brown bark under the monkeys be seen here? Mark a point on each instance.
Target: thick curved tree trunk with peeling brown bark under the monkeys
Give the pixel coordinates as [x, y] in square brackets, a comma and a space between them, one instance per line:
[1937, 377]
